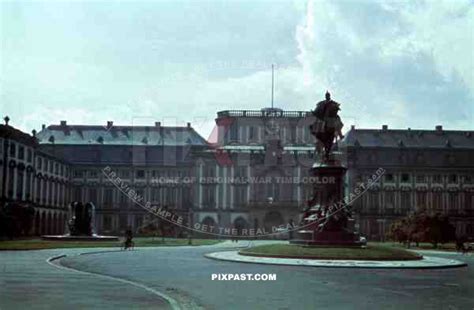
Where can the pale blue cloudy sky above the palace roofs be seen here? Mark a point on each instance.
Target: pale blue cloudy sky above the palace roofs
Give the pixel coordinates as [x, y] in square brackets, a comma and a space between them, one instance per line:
[404, 64]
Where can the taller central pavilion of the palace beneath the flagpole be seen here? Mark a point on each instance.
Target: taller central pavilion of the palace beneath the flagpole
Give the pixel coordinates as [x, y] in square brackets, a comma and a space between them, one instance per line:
[251, 176]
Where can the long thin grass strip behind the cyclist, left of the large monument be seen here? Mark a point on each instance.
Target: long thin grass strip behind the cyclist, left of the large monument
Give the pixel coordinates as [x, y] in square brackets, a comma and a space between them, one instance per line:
[38, 244]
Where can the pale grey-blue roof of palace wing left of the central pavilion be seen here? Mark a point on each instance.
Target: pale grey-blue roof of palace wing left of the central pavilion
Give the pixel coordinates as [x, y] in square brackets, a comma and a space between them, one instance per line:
[120, 135]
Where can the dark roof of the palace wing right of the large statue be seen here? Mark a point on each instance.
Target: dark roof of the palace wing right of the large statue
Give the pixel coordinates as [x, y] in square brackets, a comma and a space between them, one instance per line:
[409, 138]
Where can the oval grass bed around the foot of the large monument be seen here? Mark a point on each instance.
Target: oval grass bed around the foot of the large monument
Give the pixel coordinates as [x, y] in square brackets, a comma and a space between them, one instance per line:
[371, 252]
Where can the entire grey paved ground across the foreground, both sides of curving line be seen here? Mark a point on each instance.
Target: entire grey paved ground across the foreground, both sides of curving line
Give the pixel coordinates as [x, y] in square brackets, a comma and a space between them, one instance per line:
[184, 274]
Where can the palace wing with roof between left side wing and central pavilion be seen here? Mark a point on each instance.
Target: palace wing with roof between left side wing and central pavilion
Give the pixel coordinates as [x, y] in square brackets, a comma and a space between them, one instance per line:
[146, 158]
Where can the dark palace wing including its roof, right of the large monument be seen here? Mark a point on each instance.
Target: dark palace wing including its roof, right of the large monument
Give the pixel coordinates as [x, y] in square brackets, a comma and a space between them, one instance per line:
[429, 169]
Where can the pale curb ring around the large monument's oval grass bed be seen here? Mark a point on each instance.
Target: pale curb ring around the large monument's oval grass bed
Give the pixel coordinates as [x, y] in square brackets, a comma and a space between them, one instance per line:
[233, 256]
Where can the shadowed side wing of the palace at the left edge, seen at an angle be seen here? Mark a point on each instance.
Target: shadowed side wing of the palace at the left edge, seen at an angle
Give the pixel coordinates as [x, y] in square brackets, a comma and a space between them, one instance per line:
[32, 177]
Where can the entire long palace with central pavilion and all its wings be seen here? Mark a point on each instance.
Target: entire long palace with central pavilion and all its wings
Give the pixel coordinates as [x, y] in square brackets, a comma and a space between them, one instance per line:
[255, 175]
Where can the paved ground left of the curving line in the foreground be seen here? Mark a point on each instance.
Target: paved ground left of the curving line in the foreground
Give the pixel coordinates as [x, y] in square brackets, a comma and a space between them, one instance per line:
[27, 281]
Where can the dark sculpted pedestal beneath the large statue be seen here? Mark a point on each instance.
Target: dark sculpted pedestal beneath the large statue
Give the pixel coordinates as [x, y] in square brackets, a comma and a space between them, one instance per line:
[327, 220]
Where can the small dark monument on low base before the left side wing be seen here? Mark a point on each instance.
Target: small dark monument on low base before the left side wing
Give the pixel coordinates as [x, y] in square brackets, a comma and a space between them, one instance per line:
[81, 222]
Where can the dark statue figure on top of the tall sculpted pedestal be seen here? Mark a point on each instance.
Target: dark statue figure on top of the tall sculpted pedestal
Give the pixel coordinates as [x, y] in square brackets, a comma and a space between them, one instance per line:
[327, 126]
